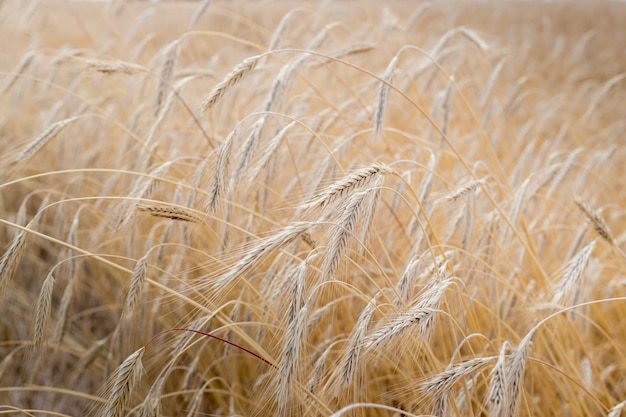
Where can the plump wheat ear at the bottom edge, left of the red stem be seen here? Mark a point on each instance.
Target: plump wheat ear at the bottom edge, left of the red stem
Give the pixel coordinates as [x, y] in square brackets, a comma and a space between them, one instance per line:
[124, 380]
